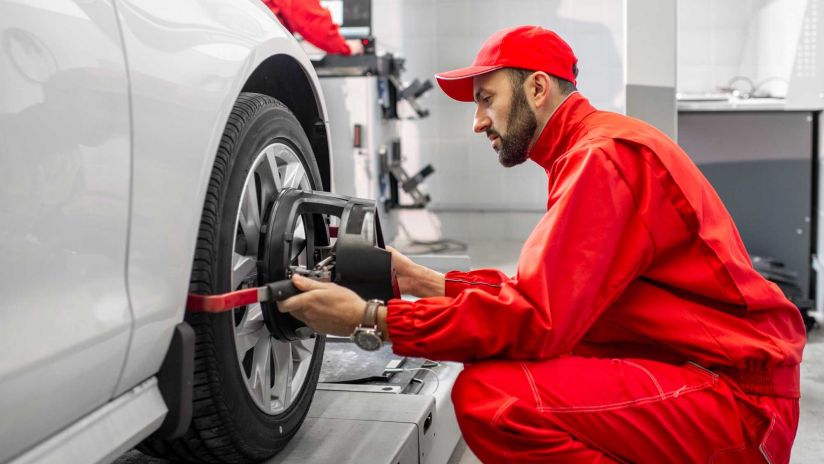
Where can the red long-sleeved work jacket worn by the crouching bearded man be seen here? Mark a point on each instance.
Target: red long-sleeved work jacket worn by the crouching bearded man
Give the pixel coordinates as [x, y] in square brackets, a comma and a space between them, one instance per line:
[636, 257]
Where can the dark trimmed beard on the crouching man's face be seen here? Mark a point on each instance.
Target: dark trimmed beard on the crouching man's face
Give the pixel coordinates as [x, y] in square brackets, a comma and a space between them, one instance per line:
[521, 127]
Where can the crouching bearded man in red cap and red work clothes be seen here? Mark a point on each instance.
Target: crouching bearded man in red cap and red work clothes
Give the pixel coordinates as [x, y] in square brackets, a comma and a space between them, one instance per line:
[636, 329]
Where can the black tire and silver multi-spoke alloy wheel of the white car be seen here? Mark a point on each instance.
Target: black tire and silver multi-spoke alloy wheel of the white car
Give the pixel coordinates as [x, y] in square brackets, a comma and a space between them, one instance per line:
[231, 423]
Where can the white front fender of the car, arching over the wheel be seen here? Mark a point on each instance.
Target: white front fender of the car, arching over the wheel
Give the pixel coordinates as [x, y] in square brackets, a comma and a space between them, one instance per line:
[179, 115]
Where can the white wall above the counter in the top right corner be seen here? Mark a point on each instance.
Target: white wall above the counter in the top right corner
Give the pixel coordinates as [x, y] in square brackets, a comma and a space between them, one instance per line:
[721, 39]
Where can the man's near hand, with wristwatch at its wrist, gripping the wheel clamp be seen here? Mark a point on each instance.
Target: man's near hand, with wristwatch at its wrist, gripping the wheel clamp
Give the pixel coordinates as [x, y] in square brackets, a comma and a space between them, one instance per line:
[325, 307]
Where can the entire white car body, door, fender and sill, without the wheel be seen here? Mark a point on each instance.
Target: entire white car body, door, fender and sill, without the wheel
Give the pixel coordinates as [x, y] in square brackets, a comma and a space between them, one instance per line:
[111, 112]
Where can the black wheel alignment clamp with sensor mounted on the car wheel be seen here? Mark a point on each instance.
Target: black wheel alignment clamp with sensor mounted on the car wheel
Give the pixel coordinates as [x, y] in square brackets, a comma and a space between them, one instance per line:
[357, 259]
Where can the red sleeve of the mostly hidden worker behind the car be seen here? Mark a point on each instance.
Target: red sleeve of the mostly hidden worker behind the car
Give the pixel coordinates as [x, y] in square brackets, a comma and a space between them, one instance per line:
[312, 21]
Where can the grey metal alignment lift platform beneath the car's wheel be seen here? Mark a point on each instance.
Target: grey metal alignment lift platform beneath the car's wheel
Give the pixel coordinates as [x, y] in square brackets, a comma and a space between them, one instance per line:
[379, 407]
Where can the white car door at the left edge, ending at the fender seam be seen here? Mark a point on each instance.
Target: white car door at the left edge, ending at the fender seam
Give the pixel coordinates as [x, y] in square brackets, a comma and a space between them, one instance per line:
[64, 212]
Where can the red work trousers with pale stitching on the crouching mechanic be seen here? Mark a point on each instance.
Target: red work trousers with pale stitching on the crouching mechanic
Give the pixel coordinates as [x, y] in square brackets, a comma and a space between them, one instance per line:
[572, 409]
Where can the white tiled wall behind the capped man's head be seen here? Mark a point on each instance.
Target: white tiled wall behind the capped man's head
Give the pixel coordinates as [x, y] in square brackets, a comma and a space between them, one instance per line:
[439, 35]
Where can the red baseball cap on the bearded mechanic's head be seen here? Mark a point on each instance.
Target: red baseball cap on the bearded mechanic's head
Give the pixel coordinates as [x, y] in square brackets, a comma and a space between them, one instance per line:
[526, 47]
